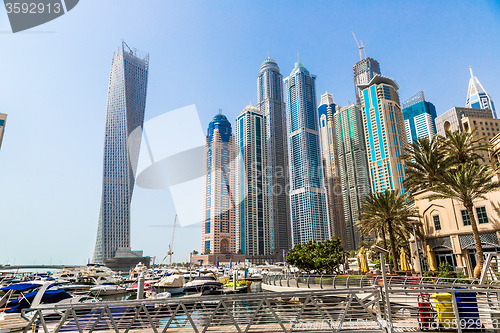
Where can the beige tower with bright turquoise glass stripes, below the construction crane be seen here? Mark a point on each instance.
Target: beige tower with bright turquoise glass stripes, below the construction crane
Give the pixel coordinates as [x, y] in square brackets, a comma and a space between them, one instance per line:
[385, 134]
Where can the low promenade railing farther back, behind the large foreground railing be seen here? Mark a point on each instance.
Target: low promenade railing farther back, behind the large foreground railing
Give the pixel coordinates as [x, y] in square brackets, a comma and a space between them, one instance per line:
[350, 281]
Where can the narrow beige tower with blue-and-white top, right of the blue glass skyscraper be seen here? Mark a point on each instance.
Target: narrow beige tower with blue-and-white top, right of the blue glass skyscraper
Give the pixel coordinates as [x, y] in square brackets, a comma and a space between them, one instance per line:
[333, 185]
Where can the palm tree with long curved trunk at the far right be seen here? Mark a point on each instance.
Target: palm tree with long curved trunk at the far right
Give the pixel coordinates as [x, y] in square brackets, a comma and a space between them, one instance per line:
[466, 183]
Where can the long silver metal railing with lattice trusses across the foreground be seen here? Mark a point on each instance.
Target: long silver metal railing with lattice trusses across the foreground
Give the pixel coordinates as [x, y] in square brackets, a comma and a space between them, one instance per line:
[349, 309]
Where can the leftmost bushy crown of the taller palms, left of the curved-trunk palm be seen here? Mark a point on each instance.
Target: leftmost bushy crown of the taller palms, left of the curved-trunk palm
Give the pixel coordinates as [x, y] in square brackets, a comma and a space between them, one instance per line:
[424, 162]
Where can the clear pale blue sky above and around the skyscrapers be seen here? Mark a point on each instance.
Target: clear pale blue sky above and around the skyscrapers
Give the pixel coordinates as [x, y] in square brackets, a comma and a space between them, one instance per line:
[54, 78]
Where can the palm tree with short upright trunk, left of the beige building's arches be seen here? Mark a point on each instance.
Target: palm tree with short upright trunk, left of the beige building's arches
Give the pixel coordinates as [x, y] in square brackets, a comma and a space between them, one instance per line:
[389, 211]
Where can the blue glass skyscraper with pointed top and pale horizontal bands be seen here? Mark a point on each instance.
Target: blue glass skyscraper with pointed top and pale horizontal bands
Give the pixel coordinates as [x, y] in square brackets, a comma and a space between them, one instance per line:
[309, 216]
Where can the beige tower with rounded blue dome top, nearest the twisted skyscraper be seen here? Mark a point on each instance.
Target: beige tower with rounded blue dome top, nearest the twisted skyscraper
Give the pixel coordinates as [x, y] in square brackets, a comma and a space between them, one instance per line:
[218, 224]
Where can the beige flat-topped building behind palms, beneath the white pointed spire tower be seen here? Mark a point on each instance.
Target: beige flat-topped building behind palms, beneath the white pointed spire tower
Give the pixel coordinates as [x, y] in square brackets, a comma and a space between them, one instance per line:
[451, 119]
